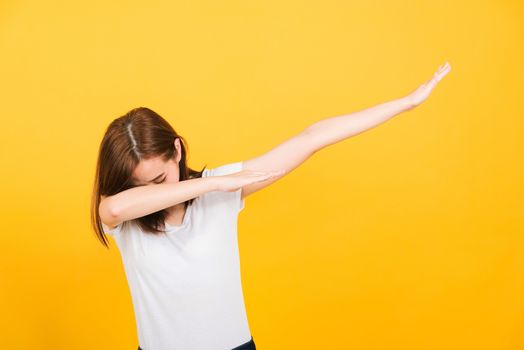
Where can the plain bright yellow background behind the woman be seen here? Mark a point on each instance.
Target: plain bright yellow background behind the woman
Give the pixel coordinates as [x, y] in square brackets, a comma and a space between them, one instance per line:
[408, 236]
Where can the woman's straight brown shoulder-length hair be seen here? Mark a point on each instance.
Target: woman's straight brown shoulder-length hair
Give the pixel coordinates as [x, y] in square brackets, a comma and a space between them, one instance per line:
[139, 134]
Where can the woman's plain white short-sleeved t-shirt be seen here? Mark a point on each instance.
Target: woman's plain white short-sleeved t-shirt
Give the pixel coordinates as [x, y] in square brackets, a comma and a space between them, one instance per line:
[186, 287]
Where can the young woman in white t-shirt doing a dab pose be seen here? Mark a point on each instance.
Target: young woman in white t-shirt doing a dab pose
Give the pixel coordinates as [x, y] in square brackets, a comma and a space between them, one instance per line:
[176, 228]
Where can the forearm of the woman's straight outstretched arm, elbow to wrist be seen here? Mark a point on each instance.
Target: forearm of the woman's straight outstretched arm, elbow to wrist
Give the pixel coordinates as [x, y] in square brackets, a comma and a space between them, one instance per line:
[332, 130]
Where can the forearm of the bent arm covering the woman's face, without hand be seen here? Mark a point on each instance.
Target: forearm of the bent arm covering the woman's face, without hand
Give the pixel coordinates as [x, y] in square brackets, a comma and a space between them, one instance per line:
[144, 200]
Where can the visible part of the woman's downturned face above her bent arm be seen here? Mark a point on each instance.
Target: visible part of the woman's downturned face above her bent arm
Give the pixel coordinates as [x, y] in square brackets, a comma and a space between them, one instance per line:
[155, 170]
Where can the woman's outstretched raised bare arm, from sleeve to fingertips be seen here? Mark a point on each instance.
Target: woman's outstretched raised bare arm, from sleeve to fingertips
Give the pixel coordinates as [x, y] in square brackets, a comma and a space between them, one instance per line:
[294, 151]
